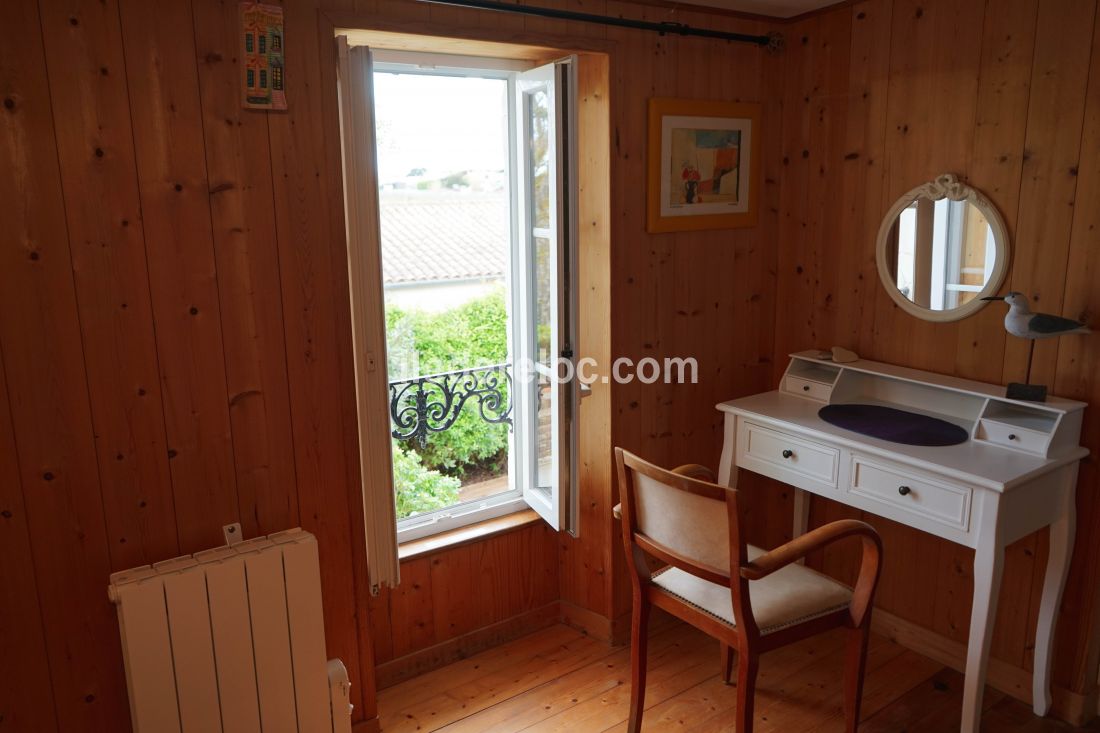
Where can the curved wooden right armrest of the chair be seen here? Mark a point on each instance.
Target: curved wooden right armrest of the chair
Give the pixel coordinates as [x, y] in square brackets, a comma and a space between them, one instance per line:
[863, 594]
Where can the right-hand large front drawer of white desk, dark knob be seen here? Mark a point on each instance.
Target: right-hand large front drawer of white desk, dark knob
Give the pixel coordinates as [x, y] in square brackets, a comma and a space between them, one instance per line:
[920, 497]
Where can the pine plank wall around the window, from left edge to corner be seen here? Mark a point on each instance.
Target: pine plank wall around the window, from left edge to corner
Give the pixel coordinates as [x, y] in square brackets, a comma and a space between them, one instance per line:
[174, 326]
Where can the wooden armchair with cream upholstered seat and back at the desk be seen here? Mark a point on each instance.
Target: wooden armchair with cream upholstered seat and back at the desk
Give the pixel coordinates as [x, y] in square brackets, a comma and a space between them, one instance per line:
[684, 519]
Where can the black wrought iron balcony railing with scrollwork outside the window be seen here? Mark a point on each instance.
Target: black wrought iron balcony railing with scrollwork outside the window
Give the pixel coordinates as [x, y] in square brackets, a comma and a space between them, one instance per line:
[432, 403]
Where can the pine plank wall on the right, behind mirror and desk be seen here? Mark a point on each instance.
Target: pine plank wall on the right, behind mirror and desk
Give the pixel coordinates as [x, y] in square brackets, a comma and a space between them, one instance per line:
[881, 96]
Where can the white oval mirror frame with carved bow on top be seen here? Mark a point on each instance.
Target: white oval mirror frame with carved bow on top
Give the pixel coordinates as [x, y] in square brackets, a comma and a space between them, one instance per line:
[945, 187]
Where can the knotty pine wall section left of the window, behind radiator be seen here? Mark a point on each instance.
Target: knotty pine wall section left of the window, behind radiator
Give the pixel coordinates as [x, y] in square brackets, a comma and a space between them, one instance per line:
[174, 331]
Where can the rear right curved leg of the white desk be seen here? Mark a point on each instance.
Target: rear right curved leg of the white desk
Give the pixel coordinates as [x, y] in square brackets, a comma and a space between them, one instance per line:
[1063, 531]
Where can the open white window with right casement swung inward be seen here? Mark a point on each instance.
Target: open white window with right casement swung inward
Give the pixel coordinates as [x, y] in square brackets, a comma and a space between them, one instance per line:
[475, 244]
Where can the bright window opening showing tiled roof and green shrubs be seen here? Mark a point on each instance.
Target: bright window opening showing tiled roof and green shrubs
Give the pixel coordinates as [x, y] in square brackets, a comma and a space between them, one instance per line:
[446, 216]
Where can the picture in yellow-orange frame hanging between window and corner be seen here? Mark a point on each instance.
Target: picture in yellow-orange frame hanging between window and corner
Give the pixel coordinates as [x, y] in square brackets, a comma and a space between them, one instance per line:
[705, 158]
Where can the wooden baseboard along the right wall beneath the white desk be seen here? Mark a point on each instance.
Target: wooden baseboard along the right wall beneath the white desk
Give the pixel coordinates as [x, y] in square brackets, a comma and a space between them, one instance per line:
[1069, 706]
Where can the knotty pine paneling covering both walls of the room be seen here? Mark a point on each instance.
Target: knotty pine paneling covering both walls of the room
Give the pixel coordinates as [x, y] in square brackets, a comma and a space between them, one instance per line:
[174, 321]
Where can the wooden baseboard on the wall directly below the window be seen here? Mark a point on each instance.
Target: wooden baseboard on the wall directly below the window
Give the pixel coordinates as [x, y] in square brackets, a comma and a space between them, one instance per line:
[403, 669]
